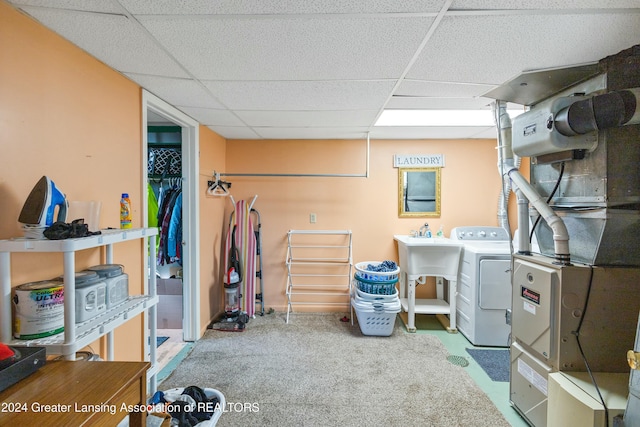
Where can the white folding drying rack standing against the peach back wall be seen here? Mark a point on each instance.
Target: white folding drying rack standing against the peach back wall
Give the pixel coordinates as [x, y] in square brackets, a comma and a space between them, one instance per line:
[319, 267]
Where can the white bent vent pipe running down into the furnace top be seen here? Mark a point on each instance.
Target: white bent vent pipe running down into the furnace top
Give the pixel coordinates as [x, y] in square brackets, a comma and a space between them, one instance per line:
[509, 170]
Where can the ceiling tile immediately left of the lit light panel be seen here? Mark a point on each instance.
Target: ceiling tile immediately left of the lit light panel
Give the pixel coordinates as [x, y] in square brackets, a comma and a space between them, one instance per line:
[308, 118]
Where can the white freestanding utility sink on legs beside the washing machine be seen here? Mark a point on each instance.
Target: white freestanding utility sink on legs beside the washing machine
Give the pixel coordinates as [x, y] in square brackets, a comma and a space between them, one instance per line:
[425, 256]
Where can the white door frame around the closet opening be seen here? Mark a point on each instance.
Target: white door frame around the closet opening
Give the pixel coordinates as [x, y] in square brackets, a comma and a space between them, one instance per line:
[190, 205]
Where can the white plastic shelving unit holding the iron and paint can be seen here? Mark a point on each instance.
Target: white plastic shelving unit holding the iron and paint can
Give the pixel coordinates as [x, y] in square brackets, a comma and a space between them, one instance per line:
[78, 335]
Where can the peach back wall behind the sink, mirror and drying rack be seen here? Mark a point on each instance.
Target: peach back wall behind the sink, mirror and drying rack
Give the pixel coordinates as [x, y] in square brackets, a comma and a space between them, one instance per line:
[367, 206]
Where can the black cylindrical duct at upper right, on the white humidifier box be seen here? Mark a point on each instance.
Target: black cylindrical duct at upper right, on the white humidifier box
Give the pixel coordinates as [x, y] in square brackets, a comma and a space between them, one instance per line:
[613, 109]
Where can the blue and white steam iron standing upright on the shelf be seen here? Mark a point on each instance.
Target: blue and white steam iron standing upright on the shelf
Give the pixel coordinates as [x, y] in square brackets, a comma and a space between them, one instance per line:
[39, 209]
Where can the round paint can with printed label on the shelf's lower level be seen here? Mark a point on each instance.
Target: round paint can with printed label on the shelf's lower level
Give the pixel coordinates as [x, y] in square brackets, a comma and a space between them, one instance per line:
[39, 309]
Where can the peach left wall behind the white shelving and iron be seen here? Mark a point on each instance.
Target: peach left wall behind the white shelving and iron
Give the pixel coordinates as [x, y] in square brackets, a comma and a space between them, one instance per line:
[66, 115]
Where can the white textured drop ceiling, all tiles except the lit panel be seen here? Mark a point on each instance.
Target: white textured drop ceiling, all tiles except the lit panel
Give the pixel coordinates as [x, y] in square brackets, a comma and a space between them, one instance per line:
[326, 69]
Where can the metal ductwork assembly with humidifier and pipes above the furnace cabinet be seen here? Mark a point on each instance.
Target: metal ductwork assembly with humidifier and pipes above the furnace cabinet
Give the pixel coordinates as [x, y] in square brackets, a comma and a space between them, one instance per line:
[589, 127]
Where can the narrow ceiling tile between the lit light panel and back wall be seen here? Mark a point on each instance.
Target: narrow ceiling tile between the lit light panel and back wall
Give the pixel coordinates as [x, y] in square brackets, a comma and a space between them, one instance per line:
[416, 132]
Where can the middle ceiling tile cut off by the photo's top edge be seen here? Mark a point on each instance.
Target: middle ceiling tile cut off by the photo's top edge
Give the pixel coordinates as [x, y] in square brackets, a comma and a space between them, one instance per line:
[271, 7]
